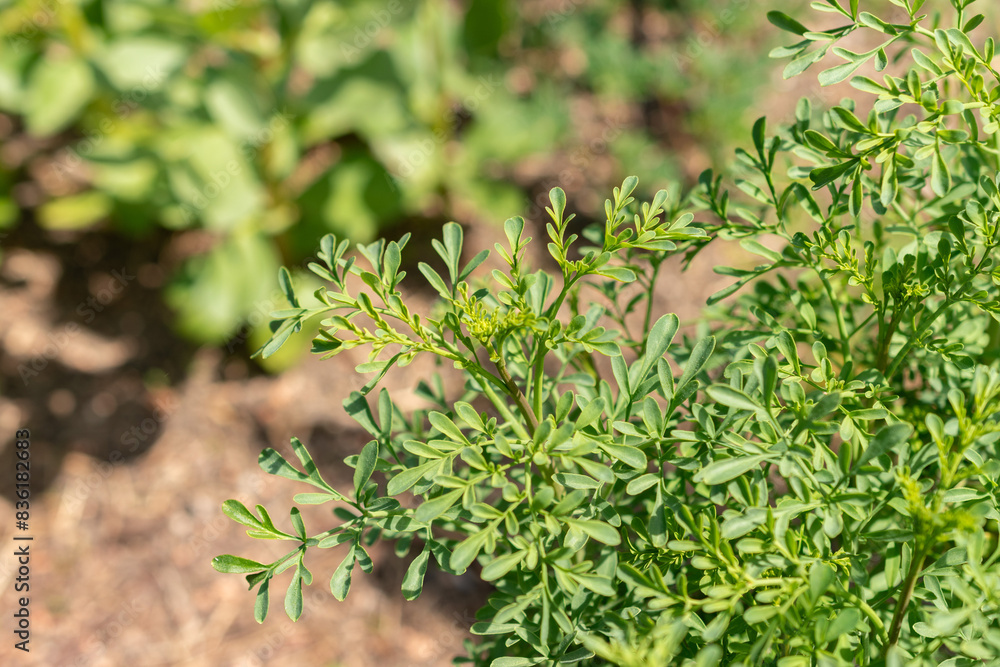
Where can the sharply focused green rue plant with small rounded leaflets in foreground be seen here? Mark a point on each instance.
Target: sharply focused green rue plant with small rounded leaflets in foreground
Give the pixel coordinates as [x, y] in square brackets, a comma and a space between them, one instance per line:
[816, 482]
